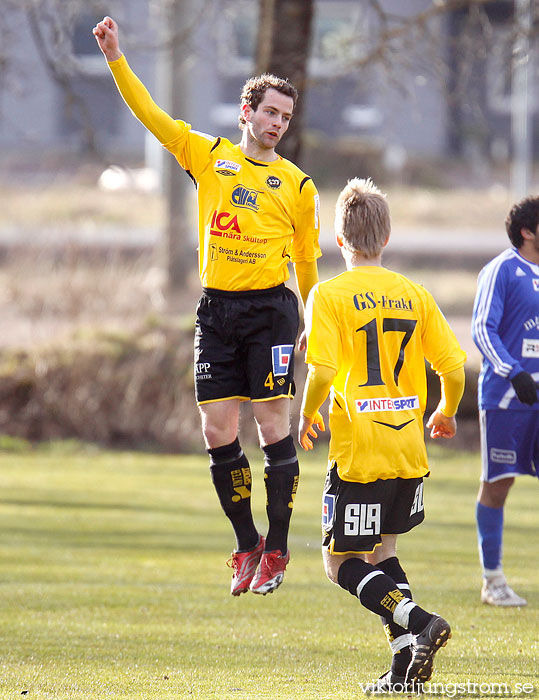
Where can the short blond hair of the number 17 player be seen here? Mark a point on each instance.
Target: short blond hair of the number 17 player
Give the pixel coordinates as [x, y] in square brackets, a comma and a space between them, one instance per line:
[362, 217]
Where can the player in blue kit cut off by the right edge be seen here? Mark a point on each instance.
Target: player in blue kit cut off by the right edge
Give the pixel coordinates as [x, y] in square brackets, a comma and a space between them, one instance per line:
[505, 328]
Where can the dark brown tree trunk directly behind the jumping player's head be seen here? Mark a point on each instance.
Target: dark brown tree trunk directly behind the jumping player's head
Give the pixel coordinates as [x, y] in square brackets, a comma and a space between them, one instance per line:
[284, 34]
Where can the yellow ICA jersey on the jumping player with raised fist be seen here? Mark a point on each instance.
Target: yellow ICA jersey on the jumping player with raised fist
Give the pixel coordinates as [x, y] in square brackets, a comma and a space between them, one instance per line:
[254, 217]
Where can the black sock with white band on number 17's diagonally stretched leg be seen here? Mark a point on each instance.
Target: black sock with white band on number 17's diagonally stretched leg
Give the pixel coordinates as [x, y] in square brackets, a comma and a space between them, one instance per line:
[378, 592]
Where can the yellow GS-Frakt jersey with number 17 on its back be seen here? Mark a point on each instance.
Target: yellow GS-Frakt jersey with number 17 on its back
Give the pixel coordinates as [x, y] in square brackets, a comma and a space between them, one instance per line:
[375, 328]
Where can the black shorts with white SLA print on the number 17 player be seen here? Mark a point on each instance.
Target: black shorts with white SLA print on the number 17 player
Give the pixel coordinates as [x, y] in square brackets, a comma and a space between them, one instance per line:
[355, 515]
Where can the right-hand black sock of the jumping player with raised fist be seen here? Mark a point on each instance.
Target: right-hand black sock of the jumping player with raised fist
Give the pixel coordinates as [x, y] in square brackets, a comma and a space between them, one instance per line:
[281, 476]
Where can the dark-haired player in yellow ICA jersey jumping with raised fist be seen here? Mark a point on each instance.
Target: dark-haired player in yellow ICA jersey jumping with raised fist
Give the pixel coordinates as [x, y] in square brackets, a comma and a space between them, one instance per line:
[257, 212]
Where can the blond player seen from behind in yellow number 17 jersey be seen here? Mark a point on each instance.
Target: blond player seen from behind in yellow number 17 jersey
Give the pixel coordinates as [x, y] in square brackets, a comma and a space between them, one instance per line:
[369, 331]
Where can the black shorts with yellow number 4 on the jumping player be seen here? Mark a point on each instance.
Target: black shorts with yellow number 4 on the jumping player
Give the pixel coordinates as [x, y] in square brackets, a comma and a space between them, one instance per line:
[244, 344]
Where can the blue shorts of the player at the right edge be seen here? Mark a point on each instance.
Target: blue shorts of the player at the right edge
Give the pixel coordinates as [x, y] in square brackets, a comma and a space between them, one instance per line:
[509, 443]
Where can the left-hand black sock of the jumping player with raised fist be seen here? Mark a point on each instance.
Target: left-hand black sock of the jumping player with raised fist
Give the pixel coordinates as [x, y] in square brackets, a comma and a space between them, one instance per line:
[231, 477]
